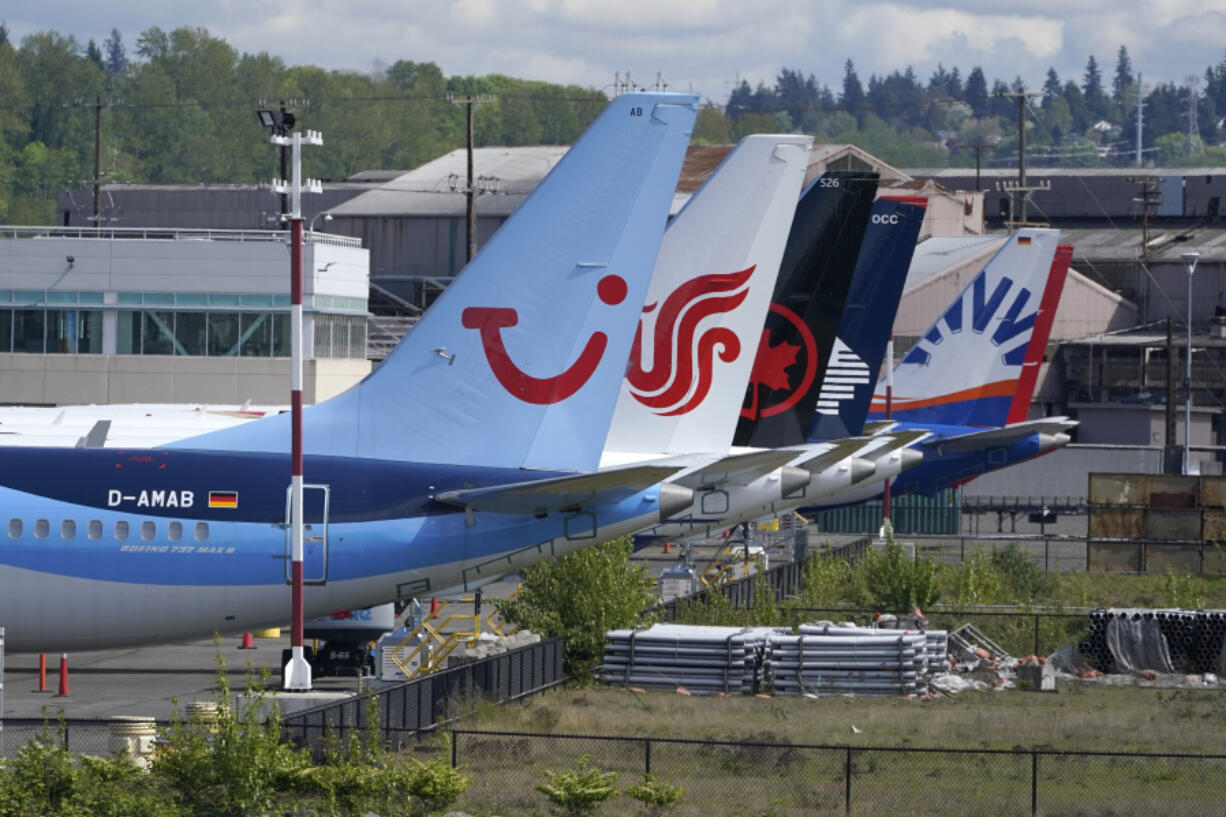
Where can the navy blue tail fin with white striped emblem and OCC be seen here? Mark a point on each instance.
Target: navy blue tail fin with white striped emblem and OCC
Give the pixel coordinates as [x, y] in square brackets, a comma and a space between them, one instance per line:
[872, 304]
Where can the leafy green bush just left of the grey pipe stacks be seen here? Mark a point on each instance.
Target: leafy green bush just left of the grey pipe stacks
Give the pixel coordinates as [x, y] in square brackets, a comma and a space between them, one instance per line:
[581, 597]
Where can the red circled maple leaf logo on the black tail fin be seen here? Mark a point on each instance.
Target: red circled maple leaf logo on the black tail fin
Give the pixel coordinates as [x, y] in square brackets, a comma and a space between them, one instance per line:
[779, 361]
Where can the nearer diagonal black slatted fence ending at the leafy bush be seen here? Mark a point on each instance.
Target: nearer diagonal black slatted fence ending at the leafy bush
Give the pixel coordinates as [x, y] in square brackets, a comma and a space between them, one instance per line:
[425, 704]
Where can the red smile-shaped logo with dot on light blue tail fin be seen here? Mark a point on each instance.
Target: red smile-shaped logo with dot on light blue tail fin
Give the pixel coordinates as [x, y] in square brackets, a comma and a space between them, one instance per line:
[491, 322]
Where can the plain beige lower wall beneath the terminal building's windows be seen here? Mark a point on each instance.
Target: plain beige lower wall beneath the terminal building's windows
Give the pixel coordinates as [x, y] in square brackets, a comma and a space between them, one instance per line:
[74, 380]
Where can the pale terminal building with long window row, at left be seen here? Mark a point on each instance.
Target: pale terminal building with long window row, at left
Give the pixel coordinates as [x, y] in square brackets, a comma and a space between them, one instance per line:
[175, 316]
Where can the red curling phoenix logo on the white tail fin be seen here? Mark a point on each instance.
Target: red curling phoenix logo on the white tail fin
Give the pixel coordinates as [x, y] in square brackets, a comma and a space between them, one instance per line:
[682, 358]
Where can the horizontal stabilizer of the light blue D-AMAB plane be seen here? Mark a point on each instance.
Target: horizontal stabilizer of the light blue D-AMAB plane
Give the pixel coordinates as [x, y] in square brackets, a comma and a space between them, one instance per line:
[561, 494]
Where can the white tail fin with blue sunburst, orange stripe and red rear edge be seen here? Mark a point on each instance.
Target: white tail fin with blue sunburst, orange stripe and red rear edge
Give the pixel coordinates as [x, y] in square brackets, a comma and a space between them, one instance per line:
[970, 369]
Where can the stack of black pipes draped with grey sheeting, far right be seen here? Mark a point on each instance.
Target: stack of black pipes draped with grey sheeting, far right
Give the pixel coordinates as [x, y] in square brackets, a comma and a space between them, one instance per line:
[1190, 640]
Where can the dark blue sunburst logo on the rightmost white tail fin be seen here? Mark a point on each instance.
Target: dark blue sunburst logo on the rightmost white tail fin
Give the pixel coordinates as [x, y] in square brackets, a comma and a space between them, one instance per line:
[1012, 333]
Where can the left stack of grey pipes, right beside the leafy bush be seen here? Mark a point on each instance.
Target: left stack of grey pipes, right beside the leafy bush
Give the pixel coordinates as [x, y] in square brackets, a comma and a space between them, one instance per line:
[697, 659]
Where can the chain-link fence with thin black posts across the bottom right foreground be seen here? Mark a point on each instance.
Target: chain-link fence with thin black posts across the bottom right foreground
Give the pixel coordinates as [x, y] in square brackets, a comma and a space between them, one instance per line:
[785, 780]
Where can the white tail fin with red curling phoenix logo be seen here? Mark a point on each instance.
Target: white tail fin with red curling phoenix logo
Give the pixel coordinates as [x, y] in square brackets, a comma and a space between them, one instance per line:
[708, 301]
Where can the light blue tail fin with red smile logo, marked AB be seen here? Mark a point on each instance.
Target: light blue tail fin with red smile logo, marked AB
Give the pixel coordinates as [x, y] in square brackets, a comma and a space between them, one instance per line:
[519, 362]
